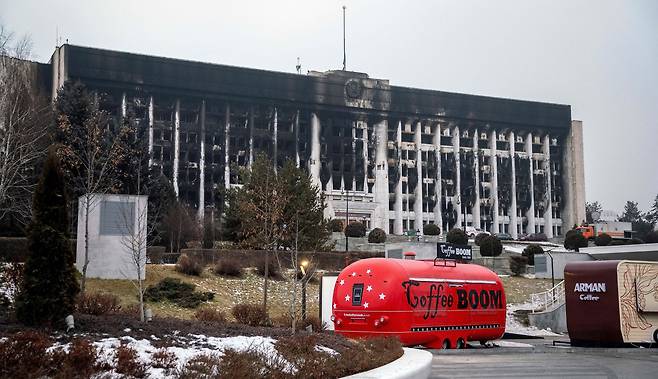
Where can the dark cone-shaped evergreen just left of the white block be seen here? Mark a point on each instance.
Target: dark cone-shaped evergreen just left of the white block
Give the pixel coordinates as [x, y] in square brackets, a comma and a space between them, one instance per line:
[50, 285]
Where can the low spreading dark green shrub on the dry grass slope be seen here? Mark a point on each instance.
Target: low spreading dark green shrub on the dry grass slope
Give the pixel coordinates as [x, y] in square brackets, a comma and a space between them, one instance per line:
[178, 292]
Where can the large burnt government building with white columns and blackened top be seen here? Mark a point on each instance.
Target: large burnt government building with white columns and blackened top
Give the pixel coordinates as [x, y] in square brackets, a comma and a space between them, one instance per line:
[404, 157]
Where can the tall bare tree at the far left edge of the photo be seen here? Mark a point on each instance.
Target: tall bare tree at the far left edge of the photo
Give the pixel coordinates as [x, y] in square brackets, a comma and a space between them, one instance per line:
[25, 114]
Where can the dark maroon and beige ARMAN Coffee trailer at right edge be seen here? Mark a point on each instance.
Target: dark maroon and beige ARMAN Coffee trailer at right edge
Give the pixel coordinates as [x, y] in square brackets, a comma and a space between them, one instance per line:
[612, 302]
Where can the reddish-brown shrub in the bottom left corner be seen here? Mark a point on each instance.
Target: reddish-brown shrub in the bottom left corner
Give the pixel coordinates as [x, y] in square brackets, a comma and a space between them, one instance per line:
[23, 355]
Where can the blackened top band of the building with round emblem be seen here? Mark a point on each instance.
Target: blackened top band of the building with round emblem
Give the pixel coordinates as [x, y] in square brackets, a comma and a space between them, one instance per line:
[328, 91]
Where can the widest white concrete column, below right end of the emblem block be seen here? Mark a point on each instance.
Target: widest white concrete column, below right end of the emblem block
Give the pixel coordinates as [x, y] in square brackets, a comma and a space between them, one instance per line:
[381, 176]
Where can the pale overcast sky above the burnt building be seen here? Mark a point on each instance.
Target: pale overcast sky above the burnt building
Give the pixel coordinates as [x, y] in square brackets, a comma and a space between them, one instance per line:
[601, 57]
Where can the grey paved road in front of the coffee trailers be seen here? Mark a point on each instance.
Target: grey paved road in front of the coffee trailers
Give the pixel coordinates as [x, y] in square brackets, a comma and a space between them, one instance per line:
[549, 364]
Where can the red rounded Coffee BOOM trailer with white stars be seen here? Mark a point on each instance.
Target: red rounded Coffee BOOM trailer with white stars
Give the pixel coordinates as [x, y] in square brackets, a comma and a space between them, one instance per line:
[437, 304]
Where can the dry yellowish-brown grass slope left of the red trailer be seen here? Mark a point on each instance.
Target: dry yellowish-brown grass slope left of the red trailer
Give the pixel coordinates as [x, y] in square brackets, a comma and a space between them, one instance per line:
[228, 292]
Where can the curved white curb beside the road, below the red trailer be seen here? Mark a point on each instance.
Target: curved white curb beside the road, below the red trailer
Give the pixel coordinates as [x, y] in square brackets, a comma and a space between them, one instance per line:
[414, 363]
